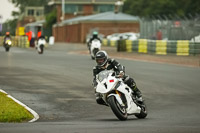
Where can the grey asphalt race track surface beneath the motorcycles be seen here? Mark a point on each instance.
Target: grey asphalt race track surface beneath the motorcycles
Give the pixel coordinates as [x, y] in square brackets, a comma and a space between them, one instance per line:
[57, 85]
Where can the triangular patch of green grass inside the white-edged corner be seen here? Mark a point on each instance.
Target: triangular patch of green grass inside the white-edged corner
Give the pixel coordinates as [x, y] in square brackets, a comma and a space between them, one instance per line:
[10, 111]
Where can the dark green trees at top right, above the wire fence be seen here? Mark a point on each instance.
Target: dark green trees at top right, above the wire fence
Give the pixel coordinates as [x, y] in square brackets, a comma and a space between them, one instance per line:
[144, 8]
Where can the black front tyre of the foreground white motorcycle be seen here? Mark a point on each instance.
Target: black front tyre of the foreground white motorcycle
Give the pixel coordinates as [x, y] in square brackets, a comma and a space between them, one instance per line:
[117, 109]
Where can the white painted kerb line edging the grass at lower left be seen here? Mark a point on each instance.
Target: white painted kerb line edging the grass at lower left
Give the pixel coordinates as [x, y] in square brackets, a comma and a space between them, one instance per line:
[36, 116]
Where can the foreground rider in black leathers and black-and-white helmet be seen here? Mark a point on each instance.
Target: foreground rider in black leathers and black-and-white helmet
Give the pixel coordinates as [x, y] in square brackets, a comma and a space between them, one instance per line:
[103, 62]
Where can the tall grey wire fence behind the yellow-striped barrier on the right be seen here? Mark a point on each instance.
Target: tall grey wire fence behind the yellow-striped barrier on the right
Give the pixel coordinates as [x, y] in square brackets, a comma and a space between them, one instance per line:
[165, 29]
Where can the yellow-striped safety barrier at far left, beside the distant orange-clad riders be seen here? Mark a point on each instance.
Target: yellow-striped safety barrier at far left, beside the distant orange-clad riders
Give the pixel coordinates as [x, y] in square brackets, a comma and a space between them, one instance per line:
[18, 41]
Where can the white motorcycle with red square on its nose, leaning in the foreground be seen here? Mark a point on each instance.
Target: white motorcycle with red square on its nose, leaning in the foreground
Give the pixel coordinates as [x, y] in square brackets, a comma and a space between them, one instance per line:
[116, 94]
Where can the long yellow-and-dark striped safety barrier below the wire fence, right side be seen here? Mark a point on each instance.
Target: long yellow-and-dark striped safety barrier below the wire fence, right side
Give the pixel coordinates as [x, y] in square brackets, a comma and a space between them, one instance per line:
[160, 47]
